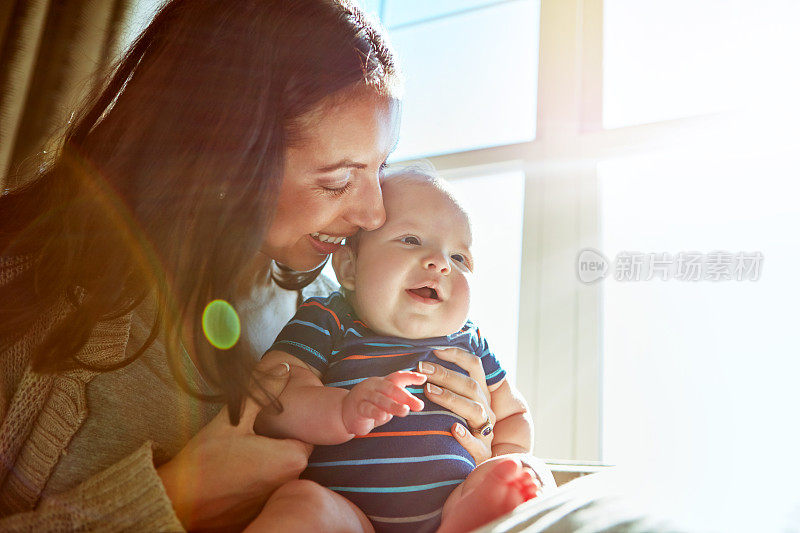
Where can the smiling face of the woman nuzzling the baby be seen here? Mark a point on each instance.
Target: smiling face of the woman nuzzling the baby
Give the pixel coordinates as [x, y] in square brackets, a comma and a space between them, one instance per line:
[331, 180]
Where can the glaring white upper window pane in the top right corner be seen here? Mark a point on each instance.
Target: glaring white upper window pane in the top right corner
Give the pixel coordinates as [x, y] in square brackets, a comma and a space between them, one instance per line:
[667, 60]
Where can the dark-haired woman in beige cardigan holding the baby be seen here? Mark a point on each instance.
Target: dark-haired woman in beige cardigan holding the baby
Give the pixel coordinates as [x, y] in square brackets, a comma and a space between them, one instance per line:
[231, 135]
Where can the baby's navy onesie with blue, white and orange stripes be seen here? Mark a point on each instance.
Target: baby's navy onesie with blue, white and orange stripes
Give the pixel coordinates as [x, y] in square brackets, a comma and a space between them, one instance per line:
[401, 473]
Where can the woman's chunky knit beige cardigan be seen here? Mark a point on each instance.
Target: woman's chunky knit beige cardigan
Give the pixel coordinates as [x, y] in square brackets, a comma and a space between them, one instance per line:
[41, 413]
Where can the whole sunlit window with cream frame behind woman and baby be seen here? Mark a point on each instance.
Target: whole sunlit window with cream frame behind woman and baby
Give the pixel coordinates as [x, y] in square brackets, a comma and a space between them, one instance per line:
[659, 127]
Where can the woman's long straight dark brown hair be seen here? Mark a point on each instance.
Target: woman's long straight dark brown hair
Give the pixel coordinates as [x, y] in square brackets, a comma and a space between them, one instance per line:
[166, 181]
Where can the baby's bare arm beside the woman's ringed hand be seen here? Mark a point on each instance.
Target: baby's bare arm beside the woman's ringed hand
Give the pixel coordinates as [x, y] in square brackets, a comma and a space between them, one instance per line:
[513, 428]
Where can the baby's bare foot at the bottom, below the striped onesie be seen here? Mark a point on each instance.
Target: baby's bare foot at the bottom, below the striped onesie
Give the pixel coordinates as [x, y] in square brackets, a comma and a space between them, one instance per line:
[492, 490]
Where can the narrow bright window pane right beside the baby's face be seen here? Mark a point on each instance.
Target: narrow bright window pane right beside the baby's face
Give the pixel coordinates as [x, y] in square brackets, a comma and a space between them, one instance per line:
[495, 204]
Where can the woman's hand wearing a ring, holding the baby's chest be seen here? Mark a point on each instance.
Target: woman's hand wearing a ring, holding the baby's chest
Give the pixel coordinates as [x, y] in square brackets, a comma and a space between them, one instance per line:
[466, 396]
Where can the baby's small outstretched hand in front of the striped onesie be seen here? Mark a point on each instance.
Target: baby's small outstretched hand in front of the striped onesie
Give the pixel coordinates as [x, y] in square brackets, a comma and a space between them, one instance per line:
[375, 400]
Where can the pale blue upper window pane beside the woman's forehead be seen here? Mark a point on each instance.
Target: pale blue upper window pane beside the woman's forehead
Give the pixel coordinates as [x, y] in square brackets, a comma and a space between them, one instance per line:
[470, 79]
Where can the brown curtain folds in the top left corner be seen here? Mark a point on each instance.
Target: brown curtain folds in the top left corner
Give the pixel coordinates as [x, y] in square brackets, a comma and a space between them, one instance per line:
[52, 52]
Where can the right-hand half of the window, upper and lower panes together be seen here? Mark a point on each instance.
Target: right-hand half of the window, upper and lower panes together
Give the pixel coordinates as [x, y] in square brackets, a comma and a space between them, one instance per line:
[718, 185]
